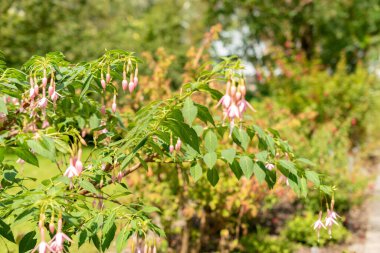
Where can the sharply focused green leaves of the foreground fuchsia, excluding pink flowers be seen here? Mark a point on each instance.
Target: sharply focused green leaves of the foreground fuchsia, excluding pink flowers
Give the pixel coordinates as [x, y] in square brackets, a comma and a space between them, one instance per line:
[122, 149]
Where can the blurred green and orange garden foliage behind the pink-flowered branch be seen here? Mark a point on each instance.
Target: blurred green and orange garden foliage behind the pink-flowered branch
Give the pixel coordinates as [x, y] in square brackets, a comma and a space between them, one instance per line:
[313, 71]
